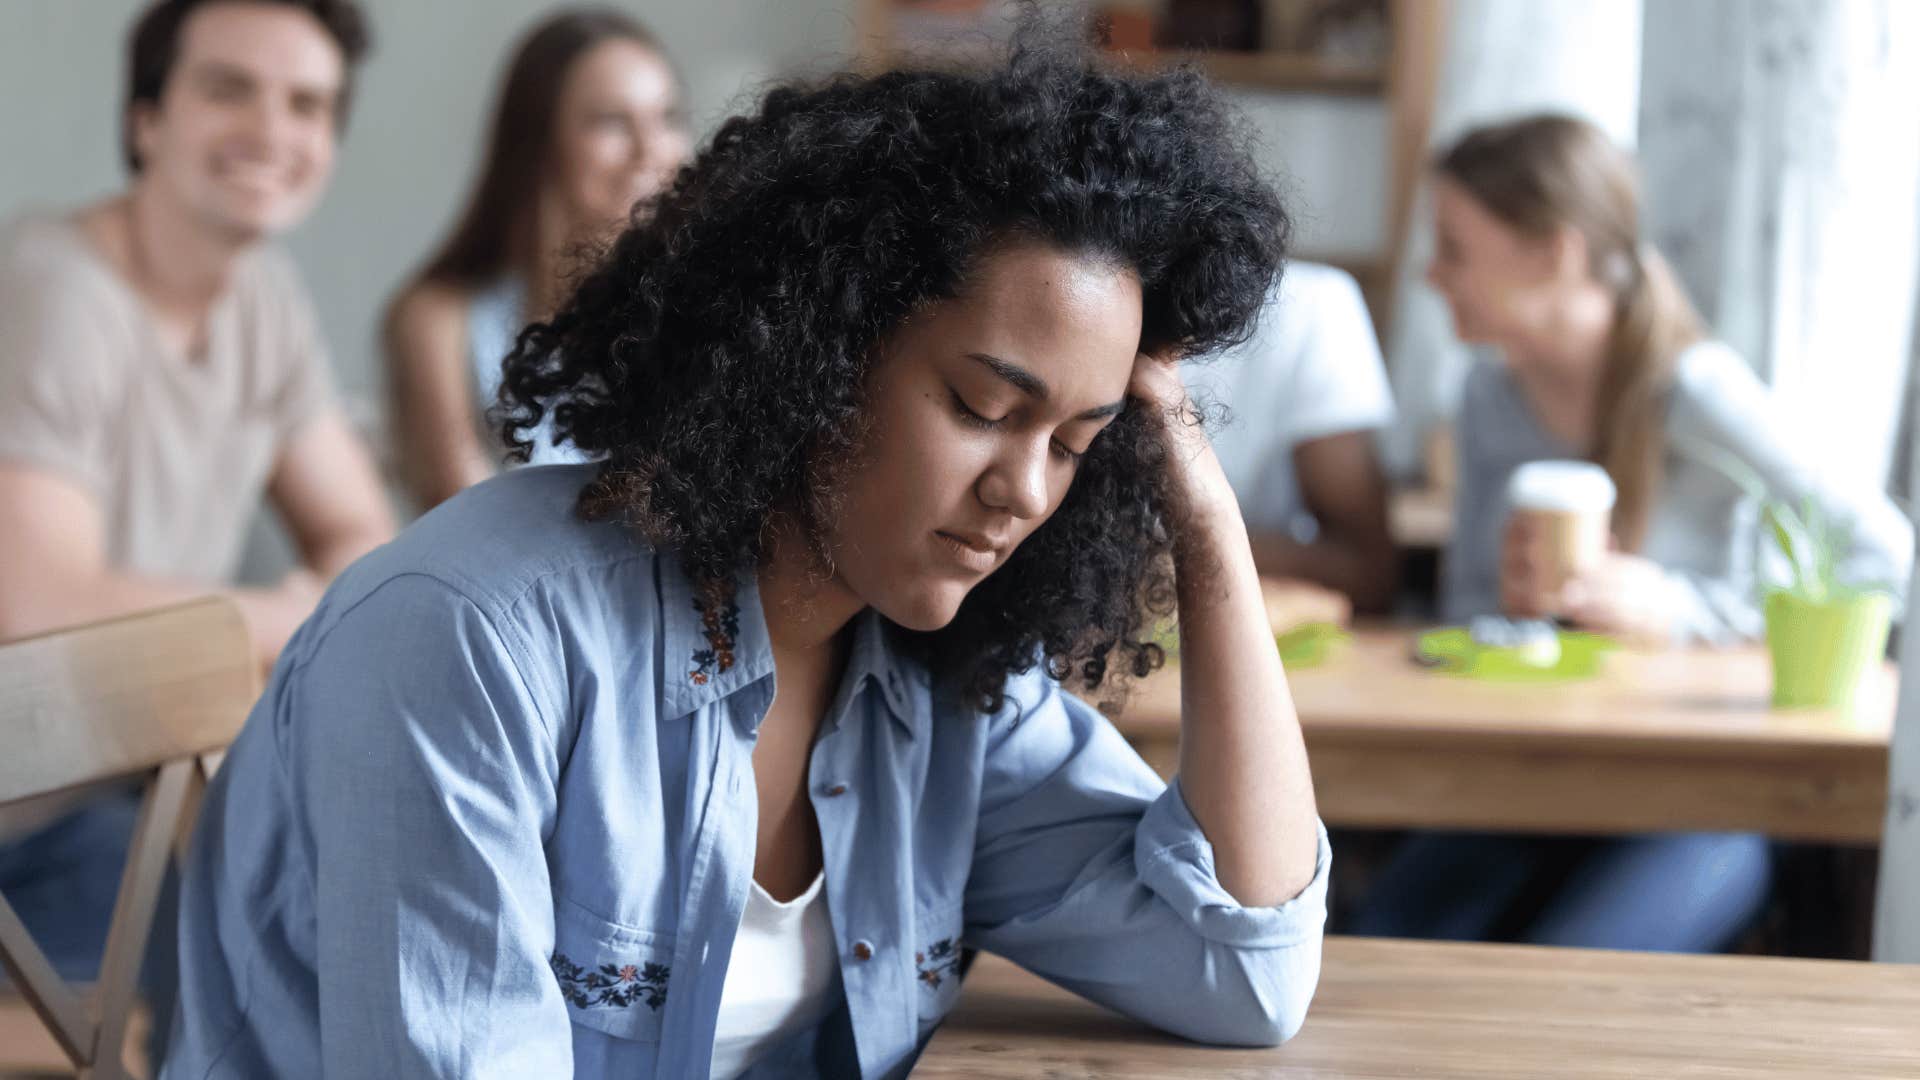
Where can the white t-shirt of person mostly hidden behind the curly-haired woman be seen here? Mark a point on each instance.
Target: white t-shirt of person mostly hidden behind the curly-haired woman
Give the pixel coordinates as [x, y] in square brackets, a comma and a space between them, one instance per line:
[1310, 370]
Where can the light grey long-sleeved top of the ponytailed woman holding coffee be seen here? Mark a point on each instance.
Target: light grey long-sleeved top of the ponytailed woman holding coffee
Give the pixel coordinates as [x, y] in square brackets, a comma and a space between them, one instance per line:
[1706, 529]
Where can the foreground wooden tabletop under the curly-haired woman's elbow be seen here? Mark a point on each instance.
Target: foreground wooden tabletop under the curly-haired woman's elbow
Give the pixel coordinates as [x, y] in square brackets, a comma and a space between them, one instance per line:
[1393, 1010]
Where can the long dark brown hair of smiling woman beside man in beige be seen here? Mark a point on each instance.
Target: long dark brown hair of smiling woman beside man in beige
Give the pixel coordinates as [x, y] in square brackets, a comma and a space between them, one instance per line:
[498, 228]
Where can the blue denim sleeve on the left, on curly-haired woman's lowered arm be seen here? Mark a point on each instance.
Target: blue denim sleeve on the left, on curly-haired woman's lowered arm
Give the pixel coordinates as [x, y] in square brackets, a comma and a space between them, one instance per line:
[427, 779]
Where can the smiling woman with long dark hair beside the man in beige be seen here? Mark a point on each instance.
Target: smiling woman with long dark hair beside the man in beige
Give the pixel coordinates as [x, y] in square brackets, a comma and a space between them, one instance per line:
[590, 124]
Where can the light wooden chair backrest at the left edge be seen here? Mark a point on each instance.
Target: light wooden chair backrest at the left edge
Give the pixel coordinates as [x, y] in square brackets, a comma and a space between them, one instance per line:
[155, 695]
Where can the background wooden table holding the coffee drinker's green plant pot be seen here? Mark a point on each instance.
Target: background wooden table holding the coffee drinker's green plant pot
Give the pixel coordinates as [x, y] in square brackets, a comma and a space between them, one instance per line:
[1660, 741]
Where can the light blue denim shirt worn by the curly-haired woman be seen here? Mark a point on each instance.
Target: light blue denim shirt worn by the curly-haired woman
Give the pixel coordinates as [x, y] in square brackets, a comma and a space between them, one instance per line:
[496, 816]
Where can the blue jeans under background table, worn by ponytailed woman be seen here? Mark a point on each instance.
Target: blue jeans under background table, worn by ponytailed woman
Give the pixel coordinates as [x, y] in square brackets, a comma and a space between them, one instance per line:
[1679, 893]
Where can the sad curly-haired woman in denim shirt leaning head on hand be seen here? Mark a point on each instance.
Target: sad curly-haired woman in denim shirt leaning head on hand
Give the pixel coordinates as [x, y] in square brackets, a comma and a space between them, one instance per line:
[713, 756]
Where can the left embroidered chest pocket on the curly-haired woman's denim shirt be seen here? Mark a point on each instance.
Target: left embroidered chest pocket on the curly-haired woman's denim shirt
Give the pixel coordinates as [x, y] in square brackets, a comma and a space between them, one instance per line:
[615, 979]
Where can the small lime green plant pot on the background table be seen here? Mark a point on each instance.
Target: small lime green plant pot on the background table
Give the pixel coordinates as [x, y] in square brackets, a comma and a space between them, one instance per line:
[1825, 650]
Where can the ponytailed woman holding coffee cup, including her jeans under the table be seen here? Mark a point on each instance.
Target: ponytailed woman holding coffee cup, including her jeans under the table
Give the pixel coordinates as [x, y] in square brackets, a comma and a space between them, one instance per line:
[1604, 360]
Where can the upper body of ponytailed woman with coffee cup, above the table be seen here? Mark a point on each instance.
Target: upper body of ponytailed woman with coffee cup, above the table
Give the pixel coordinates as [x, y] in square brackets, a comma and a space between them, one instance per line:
[1604, 358]
